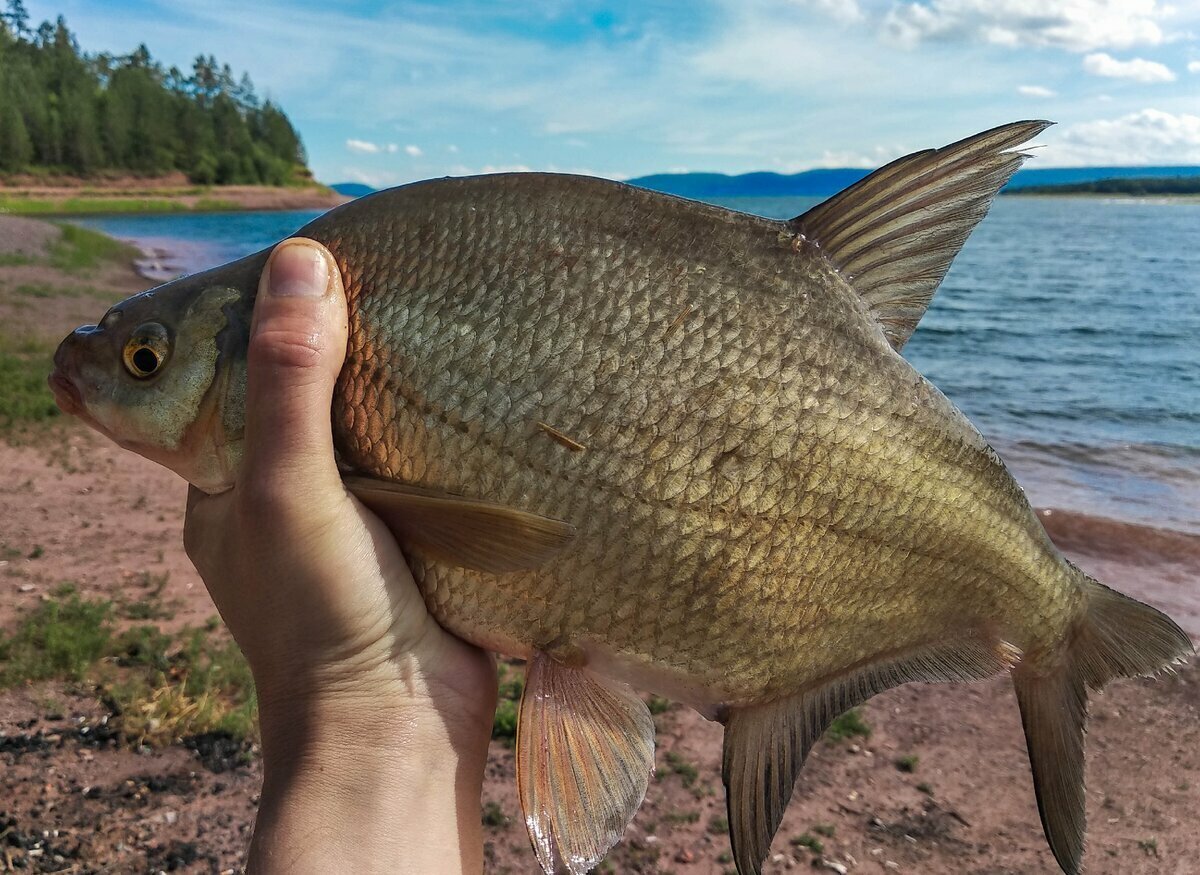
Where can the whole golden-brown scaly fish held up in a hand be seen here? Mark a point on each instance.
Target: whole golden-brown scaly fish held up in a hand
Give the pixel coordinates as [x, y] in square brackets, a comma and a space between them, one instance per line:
[646, 444]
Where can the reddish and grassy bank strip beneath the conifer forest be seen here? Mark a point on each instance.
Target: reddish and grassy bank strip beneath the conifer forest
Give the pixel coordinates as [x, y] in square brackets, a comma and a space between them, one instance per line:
[171, 195]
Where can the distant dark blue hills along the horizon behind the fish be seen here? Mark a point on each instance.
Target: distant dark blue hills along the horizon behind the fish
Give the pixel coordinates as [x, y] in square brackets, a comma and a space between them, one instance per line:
[824, 183]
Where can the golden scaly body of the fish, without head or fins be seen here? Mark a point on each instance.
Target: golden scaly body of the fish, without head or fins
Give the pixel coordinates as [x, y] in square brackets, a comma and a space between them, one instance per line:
[751, 448]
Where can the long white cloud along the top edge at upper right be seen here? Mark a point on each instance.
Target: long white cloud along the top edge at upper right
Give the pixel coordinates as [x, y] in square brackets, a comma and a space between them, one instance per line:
[1077, 26]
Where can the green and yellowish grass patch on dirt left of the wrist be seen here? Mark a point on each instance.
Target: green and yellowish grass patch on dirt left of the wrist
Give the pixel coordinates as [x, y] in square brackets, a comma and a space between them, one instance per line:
[160, 688]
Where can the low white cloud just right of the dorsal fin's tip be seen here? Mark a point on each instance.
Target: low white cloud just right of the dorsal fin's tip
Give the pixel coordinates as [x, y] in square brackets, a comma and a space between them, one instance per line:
[1147, 137]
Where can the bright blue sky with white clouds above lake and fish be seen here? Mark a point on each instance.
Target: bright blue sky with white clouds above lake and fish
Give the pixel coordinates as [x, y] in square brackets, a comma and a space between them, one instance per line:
[387, 93]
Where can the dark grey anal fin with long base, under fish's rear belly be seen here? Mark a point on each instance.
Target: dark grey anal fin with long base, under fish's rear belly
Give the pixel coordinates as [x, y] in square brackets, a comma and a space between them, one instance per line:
[766, 745]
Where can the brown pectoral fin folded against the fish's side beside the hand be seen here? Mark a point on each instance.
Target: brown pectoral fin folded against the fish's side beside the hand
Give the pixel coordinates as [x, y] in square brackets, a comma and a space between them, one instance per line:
[464, 532]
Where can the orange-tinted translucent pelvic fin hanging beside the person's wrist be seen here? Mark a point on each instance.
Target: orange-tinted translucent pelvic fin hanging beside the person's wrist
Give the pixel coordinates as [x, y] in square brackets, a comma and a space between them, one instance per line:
[585, 757]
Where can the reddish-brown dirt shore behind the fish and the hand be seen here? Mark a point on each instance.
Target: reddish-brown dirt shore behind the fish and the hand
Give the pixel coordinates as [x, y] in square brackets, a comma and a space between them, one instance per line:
[941, 786]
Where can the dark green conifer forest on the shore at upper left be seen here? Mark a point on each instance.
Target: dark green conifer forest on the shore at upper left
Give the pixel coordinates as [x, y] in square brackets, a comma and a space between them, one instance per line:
[64, 111]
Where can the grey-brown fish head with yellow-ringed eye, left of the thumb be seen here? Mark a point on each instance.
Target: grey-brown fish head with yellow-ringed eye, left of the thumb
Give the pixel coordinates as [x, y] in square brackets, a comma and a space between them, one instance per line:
[164, 374]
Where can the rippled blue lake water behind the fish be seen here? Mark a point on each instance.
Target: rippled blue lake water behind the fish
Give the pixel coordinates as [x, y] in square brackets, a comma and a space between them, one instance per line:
[1069, 331]
